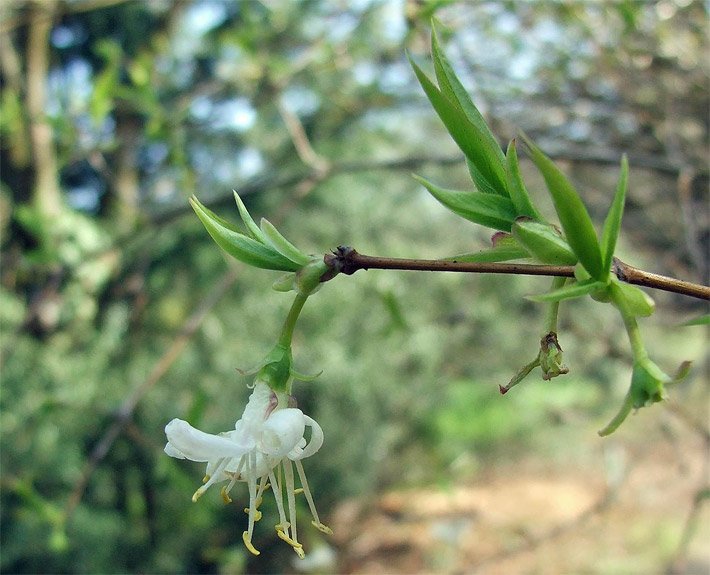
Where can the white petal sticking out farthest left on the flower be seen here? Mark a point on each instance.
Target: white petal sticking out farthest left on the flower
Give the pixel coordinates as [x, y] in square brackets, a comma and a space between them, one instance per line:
[187, 442]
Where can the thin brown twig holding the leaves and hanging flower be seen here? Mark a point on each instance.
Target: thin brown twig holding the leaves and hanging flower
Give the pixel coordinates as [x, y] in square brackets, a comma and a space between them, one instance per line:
[347, 260]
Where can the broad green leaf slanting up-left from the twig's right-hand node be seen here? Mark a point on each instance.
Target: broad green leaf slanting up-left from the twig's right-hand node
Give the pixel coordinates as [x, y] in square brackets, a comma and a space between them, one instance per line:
[574, 217]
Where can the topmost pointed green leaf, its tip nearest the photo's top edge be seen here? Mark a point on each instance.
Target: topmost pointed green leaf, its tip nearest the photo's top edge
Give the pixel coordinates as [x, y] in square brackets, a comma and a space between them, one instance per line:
[454, 91]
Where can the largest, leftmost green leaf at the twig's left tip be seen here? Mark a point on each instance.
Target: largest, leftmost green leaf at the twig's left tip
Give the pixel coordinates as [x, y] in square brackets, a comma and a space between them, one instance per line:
[239, 246]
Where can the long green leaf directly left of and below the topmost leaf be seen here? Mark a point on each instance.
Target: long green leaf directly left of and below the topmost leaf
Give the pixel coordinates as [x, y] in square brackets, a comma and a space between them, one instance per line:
[487, 160]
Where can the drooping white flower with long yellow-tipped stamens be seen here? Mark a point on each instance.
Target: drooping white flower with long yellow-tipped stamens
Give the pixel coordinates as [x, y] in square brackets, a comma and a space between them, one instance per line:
[260, 451]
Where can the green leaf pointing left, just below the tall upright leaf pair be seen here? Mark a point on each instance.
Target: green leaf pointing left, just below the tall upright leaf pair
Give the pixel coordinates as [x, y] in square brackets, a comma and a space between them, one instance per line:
[488, 210]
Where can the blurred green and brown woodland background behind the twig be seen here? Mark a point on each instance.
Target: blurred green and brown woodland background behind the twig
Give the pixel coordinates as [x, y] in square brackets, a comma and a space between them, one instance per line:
[119, 313]
